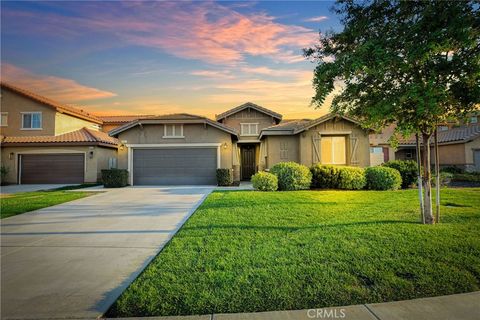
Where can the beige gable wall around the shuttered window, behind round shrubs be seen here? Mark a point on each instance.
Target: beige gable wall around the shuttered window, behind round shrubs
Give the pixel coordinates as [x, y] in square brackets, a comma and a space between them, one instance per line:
[335, 127]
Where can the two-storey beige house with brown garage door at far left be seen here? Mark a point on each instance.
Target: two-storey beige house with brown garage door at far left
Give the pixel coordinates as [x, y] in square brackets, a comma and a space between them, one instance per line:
[43, 141]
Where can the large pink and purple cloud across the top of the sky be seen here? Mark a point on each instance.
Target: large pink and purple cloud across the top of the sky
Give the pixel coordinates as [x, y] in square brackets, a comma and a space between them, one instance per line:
[206, 31]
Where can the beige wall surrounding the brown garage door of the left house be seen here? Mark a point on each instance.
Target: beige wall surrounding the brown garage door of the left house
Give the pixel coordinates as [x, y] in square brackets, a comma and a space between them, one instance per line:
[93, 166]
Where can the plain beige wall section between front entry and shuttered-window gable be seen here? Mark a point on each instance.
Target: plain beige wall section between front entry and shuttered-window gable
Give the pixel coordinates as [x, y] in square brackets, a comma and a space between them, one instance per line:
[274, 144]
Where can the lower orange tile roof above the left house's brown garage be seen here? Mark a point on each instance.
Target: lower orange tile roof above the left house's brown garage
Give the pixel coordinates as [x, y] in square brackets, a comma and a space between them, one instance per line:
[83, 136]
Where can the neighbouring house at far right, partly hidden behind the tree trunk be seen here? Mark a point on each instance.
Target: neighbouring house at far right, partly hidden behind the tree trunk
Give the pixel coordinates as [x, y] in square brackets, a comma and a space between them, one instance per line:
[458, 147]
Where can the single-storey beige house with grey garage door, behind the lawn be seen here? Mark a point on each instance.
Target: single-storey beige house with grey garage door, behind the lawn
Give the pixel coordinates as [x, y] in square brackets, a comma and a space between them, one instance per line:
[187, 149]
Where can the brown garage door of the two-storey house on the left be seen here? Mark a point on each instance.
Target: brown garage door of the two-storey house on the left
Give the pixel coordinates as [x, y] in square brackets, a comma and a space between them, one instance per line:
[51, 168]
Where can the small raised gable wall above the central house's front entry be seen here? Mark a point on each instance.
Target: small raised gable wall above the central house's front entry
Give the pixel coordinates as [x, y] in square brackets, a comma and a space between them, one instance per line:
[248, 116]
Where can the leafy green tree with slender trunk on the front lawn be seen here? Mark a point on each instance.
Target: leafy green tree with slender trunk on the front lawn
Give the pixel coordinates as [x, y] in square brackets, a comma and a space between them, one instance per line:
[415, 63]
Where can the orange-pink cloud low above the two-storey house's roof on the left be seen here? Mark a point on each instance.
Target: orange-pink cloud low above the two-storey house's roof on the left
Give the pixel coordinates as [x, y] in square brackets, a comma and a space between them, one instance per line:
[60, 89]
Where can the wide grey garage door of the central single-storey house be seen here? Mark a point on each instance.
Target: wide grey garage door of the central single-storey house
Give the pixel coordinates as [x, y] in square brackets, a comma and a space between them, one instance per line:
[174, 166]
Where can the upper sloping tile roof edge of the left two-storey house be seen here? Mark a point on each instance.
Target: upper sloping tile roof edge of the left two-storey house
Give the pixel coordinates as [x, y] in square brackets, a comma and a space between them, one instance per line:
[56, 105]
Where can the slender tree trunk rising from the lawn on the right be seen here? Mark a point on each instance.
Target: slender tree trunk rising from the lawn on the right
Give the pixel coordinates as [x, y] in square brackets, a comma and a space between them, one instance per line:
[427, 184]
